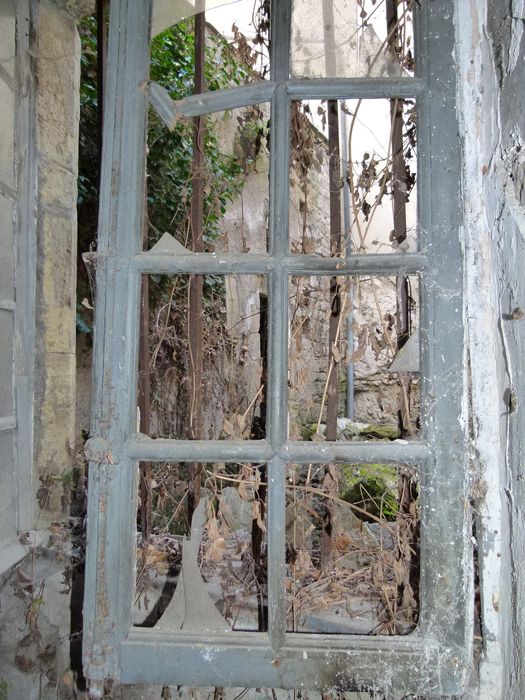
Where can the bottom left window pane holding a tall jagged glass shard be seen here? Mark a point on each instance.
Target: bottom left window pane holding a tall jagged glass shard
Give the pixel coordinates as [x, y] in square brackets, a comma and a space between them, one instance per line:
[201, 567]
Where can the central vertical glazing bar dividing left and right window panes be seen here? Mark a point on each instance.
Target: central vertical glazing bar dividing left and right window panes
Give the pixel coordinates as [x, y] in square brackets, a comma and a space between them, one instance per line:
[277, 396]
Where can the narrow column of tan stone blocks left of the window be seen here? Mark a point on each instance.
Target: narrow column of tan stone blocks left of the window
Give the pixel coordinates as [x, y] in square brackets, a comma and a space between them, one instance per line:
[57, 68]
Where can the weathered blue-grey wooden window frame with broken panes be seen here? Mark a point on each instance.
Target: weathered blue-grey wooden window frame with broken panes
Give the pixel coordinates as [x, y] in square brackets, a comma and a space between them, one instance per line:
[433, 658]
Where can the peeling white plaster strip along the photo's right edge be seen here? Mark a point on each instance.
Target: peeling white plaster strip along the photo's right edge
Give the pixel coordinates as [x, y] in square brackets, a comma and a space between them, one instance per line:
[490, 61]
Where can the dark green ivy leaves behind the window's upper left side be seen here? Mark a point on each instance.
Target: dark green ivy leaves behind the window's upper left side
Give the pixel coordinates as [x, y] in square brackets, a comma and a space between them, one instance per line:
[169, 158]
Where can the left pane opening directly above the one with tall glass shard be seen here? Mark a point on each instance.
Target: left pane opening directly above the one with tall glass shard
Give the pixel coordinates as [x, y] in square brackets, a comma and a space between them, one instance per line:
[207, 357]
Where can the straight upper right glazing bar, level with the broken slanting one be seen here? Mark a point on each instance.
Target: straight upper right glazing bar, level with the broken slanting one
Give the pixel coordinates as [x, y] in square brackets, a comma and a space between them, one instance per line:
[354, 88]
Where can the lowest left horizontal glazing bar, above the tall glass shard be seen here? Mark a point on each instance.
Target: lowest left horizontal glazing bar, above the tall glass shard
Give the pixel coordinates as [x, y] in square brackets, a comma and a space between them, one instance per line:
[159, 450]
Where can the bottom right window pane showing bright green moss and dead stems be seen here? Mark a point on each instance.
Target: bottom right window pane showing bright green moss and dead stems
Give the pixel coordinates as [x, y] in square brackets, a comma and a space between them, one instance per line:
[352, 548]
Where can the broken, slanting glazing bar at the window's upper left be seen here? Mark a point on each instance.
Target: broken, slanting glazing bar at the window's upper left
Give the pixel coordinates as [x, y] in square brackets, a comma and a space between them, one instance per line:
[170, 111]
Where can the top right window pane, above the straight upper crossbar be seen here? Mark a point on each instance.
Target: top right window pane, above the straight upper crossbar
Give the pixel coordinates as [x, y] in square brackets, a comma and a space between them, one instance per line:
[352, 38]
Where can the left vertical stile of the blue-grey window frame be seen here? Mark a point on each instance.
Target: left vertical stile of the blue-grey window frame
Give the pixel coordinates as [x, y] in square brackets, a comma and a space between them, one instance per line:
[112, 480]
